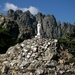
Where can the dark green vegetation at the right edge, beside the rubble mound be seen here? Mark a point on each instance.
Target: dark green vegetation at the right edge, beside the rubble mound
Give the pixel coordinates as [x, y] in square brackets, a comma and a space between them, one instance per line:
[69, 41]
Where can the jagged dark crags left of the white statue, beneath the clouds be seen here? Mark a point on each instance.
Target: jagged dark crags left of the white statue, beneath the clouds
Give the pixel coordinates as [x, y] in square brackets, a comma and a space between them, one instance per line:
[26, 22]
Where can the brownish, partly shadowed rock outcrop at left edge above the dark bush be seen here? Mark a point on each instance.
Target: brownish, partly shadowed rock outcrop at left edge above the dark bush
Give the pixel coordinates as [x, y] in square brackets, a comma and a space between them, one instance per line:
[10, 24]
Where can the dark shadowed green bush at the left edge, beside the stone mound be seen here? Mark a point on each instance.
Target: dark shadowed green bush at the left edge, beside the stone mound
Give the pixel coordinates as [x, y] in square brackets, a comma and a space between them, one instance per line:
[5, 40]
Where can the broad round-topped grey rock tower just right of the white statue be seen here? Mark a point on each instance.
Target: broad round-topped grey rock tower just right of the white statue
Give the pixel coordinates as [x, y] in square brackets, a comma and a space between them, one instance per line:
[49, 26]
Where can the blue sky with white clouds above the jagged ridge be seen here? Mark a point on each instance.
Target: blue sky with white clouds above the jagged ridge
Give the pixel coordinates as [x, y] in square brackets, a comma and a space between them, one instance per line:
[63, 10]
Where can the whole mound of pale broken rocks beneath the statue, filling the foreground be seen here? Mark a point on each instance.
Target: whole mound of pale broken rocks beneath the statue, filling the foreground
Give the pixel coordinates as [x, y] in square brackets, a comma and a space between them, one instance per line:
[36, 57]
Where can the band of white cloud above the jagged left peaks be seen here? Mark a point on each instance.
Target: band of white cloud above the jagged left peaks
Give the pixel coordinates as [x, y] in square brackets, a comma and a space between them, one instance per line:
[8, 6]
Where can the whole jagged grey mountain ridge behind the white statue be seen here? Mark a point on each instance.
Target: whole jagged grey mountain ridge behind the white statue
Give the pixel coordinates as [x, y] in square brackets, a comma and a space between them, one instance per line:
[27, 23]
